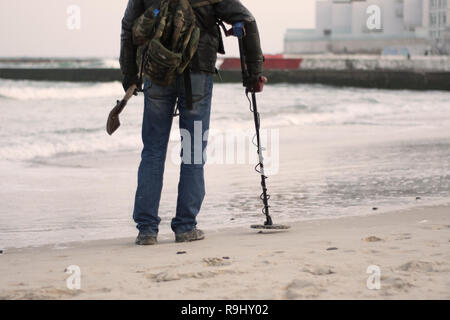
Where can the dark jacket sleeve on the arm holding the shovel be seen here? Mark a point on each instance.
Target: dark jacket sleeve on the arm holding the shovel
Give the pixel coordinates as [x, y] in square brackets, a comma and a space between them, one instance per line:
[135, 8]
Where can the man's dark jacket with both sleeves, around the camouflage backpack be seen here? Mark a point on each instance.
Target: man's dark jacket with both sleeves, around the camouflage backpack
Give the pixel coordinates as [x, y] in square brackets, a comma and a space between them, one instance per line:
[229, 11]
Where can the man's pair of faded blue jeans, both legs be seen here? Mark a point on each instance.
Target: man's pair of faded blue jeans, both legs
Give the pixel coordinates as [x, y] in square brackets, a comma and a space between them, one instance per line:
[160, 103]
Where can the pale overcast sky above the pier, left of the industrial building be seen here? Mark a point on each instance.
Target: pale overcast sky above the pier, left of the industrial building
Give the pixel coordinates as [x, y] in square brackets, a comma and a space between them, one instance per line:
[39, 28]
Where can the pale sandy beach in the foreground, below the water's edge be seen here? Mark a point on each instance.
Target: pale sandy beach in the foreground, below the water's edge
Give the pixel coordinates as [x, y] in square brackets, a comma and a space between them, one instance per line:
[322, 259]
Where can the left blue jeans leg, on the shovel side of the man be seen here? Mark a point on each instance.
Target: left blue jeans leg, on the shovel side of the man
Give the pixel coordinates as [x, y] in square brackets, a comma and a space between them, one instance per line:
[157, 123]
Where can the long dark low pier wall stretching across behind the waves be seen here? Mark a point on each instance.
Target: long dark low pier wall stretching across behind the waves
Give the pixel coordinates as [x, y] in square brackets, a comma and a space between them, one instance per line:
[383, 79]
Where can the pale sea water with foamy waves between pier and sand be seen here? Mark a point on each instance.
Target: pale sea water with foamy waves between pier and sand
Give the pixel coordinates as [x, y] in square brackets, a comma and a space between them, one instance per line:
[343, 151]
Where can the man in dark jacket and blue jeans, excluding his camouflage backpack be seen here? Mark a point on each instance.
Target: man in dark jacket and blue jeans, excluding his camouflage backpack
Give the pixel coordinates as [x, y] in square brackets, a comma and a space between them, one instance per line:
[161, 103]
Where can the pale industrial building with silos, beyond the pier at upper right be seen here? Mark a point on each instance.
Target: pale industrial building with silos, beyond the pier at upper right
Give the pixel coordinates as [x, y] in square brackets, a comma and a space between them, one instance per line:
[400, 27]
